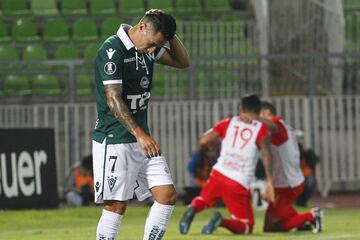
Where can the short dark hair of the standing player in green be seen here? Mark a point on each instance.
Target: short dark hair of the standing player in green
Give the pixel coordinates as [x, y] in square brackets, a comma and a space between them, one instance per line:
[162, 22]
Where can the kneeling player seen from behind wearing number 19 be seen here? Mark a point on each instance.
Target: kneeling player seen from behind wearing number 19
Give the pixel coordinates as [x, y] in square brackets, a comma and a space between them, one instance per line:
[231, 175]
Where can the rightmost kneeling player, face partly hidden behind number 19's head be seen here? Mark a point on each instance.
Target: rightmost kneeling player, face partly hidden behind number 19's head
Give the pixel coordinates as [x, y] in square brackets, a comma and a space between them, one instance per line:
[287, 177]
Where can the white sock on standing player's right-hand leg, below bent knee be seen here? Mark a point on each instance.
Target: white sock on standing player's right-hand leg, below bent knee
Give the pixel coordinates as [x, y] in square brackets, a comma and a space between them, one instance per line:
[157, 221]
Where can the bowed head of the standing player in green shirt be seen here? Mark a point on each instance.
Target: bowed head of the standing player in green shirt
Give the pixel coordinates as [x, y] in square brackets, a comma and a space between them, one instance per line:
[153, 31]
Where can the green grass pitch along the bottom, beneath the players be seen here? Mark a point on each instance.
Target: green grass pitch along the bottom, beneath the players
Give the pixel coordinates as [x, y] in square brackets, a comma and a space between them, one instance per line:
[80, 223]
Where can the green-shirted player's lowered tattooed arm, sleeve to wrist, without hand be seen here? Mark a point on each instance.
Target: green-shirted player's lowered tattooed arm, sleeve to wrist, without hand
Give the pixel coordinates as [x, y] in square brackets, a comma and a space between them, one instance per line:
[119, 109]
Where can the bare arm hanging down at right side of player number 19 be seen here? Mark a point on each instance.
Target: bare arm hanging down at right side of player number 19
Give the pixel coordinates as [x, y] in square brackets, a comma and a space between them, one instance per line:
[269, 194]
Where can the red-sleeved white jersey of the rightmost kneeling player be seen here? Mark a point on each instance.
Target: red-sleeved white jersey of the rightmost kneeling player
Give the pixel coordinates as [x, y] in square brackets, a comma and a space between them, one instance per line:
[286, 170]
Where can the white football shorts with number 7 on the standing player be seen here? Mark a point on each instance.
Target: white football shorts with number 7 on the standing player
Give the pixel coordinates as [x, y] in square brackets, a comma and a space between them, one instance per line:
[120, 170]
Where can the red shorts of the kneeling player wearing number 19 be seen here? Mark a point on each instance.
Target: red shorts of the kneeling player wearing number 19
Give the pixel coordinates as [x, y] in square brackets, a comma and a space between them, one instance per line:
[237, 198]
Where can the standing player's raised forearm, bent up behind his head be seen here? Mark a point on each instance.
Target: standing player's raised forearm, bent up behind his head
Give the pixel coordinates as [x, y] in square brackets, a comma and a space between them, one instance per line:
[179, 52]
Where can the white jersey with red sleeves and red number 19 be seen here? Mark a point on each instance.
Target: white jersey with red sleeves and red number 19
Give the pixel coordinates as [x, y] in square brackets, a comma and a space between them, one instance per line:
[239, 149]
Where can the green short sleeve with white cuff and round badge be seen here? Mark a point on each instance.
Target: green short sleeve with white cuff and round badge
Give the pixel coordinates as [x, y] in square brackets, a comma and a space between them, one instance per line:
[109, 62]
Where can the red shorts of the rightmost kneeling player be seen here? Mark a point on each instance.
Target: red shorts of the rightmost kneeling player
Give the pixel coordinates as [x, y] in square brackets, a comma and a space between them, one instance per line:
[283, 208]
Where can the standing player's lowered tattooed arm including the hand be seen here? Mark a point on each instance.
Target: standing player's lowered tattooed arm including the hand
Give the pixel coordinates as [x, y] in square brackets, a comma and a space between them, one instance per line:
[124, 116]
